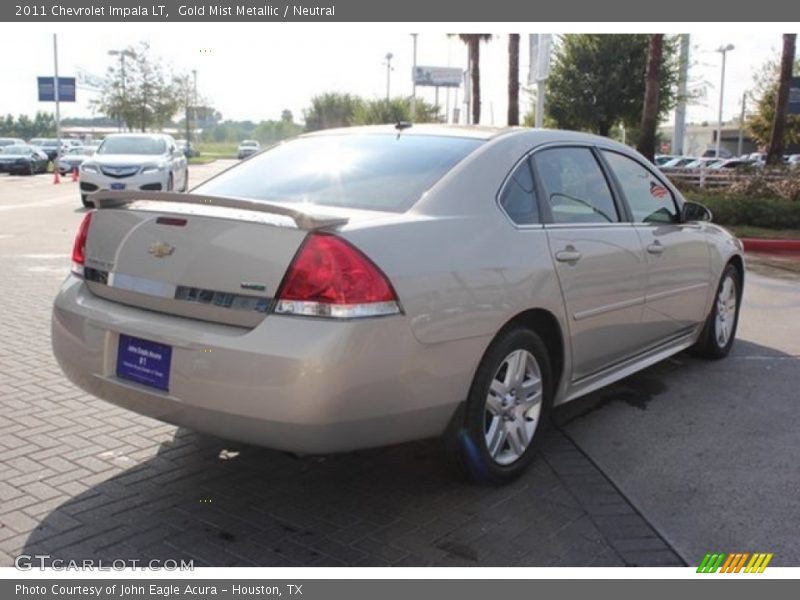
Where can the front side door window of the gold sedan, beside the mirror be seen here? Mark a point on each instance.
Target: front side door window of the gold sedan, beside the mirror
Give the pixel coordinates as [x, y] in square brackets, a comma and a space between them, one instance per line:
[649, 199]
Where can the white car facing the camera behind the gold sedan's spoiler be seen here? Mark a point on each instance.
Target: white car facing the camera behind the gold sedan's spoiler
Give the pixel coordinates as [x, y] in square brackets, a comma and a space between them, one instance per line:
[135, 161]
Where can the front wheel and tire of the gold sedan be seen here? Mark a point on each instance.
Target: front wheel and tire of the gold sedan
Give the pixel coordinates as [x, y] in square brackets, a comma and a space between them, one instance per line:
[719, 331]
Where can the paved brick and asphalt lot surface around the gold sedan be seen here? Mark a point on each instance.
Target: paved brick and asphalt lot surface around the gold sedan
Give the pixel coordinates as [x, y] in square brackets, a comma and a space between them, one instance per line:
[686, 457]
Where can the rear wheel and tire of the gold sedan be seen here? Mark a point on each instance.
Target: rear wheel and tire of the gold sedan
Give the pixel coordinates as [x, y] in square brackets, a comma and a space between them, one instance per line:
[491, 438]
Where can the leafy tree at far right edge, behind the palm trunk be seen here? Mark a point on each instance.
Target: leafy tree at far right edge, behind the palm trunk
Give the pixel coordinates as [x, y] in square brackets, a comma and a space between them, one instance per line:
[765, 95]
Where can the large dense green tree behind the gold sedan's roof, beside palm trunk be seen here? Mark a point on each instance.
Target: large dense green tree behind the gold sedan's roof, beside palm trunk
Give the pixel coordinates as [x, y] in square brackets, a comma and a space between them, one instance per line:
[598, 80]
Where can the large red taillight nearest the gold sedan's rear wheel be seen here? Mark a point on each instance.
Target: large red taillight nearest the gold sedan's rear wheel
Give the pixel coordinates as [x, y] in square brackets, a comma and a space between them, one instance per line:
[331, 278]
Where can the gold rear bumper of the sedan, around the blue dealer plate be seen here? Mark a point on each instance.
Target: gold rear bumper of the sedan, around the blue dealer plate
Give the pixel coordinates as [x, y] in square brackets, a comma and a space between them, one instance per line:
[295, 384]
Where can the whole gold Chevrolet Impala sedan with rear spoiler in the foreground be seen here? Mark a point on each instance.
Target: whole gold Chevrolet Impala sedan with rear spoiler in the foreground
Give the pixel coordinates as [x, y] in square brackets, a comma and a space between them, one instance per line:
[362, 287]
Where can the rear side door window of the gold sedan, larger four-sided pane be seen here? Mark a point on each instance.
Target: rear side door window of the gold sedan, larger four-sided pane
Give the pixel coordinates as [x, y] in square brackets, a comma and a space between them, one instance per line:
[577, 190]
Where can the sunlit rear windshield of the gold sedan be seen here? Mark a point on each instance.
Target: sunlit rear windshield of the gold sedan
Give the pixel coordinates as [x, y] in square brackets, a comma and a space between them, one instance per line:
[386, 172]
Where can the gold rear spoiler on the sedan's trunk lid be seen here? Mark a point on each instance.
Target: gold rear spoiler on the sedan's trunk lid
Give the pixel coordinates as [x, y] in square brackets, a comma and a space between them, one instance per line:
[303, 220]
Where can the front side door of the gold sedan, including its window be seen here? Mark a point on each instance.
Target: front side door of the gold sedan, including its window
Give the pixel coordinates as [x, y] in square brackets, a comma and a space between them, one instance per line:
[678, 264]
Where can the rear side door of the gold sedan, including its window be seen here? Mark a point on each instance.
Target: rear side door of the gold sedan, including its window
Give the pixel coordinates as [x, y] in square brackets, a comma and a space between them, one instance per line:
[597, 254]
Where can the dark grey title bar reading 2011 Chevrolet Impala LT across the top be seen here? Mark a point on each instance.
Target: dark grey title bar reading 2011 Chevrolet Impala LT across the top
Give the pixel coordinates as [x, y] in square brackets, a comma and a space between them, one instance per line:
[397, 11]
